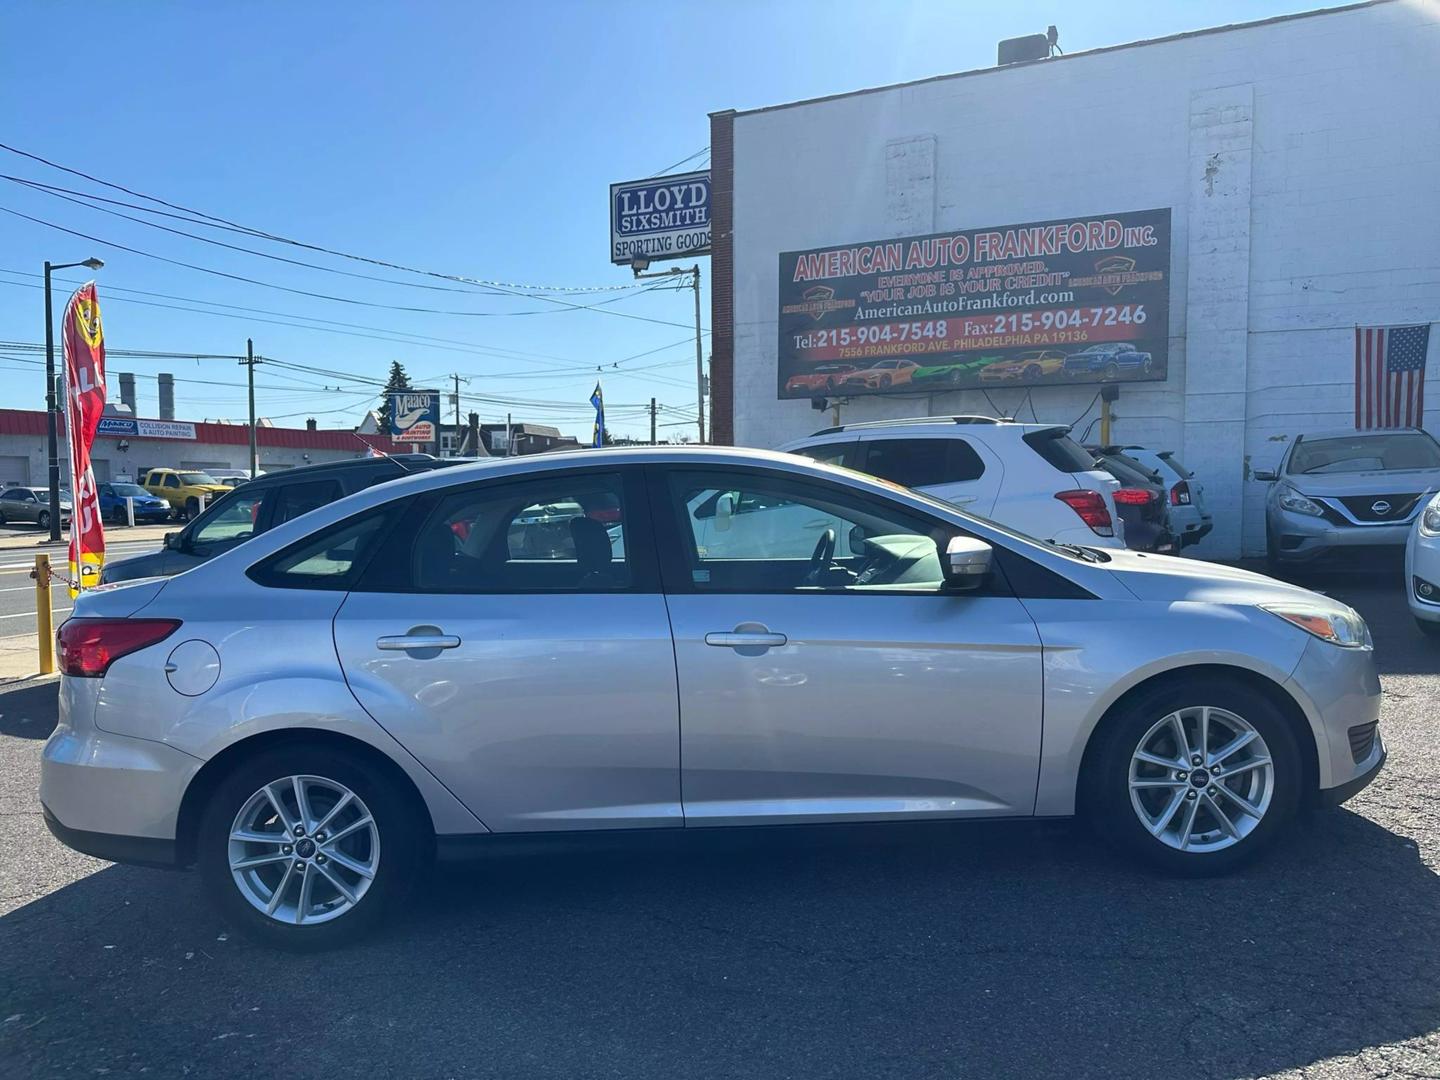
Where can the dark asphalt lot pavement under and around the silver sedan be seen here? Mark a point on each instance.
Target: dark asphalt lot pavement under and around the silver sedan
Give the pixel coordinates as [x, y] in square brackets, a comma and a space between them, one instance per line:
[928, 951]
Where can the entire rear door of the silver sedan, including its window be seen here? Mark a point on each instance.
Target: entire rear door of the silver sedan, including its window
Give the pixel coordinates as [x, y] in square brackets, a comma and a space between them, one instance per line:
[545, 693]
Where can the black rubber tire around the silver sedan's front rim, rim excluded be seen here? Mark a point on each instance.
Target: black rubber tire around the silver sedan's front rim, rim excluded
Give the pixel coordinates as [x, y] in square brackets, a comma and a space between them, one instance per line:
[1107, 783]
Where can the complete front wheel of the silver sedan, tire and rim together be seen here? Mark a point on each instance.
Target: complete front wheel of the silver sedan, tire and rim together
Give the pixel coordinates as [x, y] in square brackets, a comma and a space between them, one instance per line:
[1194, 778]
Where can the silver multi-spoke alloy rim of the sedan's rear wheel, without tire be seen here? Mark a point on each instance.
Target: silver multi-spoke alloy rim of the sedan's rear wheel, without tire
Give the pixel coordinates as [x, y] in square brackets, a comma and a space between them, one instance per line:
[305, 850]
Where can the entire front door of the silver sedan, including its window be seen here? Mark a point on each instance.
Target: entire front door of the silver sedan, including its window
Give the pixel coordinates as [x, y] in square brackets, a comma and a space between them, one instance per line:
[842, 688]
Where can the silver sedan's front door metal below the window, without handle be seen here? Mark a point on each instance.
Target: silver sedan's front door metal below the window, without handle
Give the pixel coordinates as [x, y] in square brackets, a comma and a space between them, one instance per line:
[876, 708]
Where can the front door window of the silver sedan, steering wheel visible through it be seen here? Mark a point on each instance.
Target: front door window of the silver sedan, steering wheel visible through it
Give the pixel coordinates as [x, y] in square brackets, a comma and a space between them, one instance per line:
[751, 532]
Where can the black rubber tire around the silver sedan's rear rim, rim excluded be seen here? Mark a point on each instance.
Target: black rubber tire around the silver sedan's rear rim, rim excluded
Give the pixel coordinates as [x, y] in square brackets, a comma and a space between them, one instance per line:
[402, 837]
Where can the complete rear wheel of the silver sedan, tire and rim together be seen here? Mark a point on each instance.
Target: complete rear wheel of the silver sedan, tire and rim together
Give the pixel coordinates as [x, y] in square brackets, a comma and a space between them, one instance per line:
[309, 847]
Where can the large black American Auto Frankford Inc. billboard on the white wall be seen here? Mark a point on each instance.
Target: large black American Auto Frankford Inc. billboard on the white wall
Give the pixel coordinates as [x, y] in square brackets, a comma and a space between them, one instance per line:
[1078, 300]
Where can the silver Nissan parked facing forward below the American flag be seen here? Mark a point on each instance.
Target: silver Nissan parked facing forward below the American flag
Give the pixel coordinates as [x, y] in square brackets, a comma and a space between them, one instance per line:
[1340, 492]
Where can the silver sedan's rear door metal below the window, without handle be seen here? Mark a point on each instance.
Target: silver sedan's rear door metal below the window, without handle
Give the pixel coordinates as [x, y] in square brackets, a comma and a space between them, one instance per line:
[552, 714]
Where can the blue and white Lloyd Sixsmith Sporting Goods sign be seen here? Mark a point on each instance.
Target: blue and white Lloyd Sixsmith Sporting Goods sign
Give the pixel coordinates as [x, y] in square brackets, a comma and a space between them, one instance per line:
[665, 218]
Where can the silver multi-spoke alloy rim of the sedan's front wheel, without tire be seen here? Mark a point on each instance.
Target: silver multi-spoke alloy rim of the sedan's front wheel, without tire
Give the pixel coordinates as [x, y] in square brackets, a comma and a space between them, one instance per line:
[1202, 780]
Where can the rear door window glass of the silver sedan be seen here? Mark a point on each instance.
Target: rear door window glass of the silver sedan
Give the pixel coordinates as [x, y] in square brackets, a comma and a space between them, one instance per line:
[562, 534]
